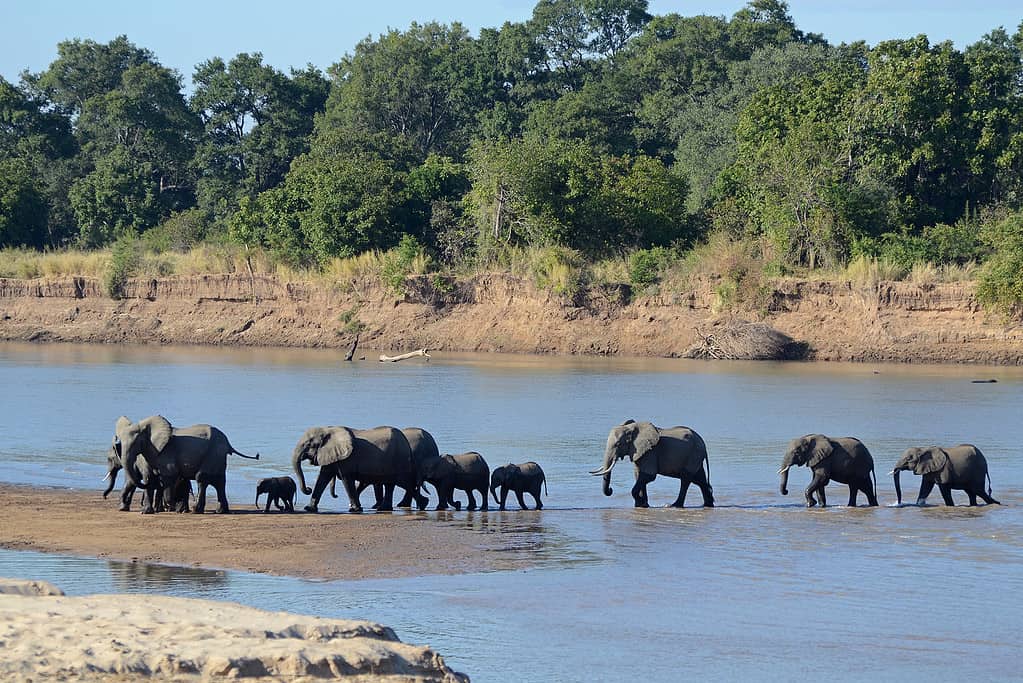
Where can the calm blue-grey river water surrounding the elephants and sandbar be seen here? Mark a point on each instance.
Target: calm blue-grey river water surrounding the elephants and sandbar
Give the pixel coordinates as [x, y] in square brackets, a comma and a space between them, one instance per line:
[759, 587]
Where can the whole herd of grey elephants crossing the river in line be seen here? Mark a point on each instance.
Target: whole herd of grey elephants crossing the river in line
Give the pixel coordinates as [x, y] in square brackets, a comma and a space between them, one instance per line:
[163, 461]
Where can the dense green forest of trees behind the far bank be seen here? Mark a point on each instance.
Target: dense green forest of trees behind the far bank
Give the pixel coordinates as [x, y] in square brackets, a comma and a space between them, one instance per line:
[594, 126]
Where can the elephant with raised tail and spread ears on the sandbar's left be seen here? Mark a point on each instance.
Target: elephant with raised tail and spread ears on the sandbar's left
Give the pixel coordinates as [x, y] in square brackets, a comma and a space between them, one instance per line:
[198, 452]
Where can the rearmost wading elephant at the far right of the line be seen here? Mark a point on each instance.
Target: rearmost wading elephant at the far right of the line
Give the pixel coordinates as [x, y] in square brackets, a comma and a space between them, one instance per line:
[962, 468]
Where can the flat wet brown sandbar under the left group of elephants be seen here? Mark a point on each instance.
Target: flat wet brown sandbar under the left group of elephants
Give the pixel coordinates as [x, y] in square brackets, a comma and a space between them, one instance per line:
[330, 547]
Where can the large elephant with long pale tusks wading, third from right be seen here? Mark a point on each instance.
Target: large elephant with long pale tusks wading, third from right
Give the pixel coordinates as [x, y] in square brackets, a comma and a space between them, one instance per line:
[678, 452]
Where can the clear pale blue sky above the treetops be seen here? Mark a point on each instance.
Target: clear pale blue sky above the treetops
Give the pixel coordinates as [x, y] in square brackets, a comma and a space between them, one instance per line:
[289, 33]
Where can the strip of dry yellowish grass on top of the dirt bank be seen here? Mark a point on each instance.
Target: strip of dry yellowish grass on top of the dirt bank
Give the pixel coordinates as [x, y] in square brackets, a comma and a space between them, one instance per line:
[738, 271]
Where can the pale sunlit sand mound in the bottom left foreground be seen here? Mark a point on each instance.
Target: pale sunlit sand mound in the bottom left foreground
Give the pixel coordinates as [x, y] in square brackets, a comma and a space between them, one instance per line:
[47, 636]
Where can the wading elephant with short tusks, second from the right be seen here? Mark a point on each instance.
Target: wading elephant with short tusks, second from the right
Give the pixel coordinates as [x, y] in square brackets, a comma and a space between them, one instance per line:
[847, 461]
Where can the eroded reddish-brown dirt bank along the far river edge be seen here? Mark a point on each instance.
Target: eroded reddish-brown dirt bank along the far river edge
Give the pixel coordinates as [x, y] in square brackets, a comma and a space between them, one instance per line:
[893, 322]
